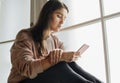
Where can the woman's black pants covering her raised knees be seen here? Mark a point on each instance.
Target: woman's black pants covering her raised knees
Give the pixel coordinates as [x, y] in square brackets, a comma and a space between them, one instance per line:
[64, 72]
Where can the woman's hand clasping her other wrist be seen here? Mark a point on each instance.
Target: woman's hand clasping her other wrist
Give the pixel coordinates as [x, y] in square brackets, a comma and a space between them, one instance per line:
[55, 56]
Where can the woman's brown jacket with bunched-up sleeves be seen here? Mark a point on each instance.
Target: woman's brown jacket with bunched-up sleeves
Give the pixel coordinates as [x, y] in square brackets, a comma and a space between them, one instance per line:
[25, 59]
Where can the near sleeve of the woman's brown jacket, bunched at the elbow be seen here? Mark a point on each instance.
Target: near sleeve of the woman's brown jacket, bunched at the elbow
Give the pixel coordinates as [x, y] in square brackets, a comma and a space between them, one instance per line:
[22, 57]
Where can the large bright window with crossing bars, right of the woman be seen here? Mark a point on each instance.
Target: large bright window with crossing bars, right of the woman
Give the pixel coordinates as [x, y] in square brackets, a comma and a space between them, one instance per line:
[82, 14]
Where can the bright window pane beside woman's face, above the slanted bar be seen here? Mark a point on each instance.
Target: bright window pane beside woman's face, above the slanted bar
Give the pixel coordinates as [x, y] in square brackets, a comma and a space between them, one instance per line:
[81, 10]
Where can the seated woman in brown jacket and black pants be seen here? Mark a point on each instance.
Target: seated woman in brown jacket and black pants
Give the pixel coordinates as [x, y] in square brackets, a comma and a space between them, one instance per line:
[37, 55]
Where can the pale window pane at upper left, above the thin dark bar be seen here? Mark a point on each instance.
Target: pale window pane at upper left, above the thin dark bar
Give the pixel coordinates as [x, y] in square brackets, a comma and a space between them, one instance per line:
[14, 15]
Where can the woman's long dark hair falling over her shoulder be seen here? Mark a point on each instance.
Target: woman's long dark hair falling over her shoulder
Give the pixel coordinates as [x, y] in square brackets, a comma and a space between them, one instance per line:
[44, 19]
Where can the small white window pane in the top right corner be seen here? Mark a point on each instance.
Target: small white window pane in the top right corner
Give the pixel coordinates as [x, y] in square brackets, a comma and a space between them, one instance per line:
[111, 6]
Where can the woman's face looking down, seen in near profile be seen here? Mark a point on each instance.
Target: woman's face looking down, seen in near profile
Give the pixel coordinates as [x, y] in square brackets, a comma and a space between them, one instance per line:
[58, 18]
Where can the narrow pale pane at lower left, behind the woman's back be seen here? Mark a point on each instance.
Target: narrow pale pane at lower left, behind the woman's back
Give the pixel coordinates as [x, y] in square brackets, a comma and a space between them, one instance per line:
[5, 63]
